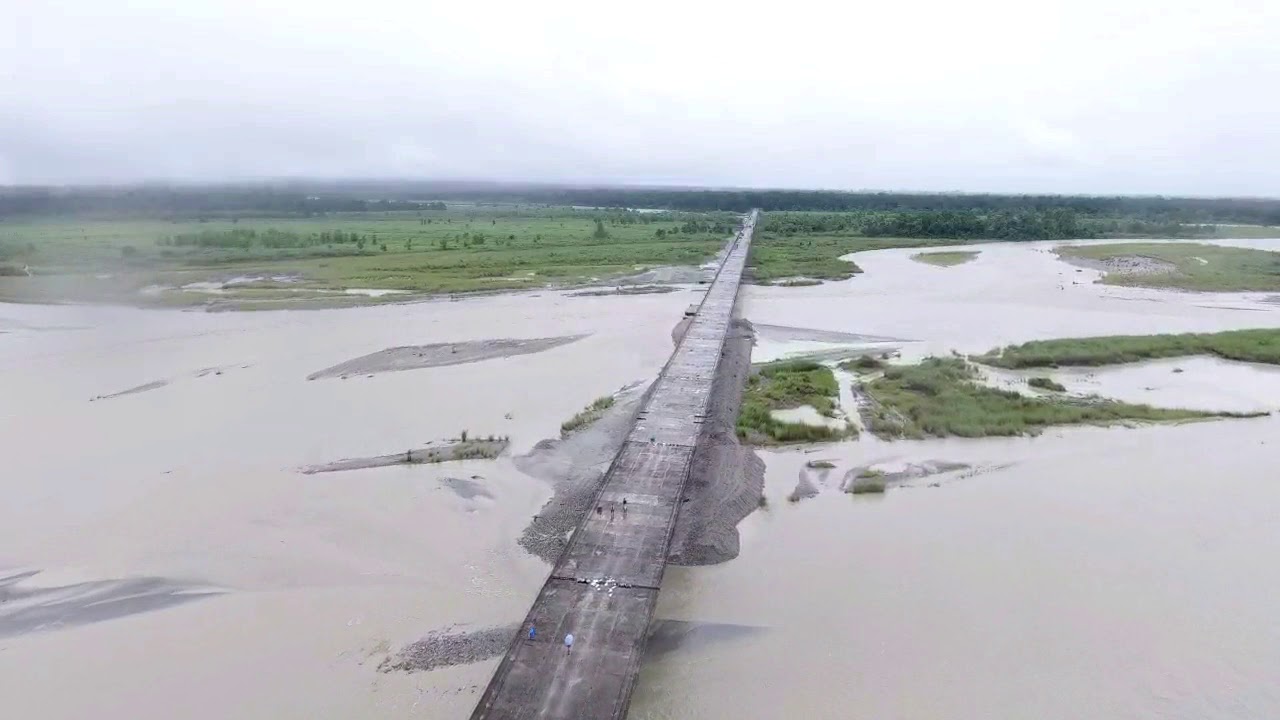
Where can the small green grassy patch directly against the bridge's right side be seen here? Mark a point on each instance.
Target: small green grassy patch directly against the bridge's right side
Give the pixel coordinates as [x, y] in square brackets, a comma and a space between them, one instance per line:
[784, 385]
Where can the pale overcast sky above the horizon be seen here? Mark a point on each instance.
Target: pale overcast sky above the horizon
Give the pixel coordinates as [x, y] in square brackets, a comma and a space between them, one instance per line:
[1135, 97]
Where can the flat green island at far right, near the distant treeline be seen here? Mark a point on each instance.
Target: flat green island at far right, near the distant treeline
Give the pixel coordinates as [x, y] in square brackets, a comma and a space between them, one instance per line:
[1186, 266]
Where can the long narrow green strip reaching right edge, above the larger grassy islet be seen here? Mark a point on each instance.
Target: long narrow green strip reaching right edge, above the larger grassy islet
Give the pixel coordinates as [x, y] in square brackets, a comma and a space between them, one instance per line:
[1260, 345]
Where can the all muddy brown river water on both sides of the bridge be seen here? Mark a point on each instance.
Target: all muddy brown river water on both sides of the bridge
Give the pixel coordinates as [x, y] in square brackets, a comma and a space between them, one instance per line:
[185, 569]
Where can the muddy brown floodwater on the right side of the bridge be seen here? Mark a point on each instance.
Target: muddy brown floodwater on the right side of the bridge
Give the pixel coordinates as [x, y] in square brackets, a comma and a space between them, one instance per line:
[1086, 573]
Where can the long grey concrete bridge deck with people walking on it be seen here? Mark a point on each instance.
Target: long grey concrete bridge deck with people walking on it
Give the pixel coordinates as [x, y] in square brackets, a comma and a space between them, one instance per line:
[605, 587]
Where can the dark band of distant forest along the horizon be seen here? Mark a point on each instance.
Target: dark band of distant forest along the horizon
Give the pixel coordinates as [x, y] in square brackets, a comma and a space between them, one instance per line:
[299, 199]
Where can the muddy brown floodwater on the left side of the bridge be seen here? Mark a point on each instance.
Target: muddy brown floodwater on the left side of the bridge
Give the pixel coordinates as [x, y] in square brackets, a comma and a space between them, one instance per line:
[186, 568]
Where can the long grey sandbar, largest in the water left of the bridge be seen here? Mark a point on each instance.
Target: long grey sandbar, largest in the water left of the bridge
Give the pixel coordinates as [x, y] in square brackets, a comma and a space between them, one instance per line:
[441, 354]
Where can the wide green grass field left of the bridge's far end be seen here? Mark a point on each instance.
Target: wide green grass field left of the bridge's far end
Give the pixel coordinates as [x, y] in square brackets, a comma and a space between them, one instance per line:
[460, 250]
